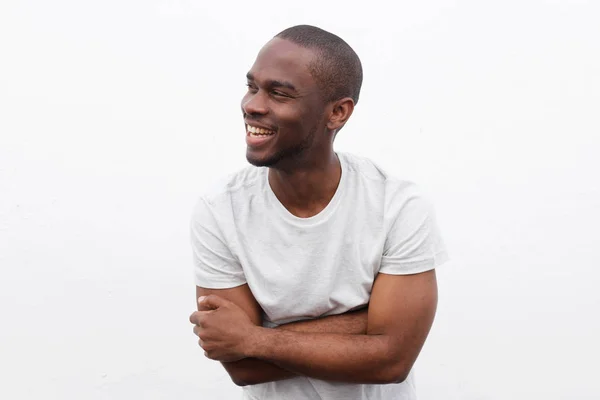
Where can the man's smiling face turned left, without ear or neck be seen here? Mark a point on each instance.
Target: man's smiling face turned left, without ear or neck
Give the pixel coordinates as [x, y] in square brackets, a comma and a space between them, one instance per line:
[283, 110]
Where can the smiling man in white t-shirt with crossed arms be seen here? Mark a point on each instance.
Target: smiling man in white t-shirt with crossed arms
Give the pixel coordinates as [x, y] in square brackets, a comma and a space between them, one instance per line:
[315, 272]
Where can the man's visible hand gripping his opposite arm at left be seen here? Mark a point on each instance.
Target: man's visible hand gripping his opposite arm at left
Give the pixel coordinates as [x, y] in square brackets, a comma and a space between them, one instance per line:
[224, 329]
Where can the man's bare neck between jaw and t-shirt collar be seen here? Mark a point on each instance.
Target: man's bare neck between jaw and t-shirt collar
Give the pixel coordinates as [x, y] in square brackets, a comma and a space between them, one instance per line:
[305, 191]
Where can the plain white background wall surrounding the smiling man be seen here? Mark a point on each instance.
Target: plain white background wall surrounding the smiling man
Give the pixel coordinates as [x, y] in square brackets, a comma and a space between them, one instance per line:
[115, 114]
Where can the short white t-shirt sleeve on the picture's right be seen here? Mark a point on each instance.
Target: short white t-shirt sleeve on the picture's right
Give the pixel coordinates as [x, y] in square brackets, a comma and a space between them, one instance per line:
[413, 243]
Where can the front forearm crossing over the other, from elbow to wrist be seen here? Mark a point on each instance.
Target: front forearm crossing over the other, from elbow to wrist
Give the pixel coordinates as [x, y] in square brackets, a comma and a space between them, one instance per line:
[333, 357]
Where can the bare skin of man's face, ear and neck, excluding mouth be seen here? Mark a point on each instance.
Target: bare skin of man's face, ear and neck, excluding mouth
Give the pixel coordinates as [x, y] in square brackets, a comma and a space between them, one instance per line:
[282, 94]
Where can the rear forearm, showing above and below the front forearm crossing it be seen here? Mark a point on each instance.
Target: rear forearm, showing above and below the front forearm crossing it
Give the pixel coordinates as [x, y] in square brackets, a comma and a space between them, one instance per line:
[252, 371]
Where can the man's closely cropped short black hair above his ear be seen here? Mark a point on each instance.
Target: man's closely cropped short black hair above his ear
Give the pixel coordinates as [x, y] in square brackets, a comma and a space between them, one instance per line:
[337, 68]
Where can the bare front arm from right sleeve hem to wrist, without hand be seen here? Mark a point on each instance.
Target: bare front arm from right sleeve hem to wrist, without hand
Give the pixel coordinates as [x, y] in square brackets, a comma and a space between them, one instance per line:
[400, 316]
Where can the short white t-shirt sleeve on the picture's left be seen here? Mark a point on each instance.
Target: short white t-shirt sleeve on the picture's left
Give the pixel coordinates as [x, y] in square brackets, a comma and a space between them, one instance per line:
[214, 265]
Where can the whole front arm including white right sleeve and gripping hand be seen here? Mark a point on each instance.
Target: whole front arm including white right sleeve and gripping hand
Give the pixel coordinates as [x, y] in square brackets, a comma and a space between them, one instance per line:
[401, 311]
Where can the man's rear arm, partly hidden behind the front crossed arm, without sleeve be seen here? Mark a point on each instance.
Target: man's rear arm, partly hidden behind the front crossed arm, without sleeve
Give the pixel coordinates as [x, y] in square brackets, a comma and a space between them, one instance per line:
[251, 371]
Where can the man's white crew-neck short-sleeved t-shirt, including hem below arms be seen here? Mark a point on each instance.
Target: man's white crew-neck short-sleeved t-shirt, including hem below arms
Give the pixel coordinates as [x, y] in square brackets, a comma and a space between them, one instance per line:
[304, 268]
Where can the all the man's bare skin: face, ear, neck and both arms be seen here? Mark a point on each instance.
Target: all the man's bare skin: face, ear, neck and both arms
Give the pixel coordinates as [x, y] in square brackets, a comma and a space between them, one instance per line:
[304, 173]
